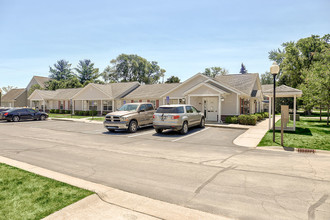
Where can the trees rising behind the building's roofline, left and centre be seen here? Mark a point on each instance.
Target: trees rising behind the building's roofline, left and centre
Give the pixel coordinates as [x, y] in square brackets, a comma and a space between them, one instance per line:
[125, 68]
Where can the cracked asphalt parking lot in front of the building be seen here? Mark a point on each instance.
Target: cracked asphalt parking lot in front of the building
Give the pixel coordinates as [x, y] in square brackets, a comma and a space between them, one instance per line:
[203, 170]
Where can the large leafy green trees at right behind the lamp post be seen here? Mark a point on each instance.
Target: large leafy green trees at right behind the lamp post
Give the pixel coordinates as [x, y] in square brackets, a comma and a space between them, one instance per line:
[304, 65]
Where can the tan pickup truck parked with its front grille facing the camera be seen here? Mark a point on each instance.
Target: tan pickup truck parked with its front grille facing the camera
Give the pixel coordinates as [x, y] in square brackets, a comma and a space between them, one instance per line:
[130, 117]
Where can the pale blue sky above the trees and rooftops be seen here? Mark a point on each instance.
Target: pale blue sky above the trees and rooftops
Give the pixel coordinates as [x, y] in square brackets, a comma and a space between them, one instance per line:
[184, 37]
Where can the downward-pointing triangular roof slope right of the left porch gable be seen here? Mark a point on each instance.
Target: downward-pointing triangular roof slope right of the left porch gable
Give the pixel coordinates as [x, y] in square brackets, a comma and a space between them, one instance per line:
[116, 90]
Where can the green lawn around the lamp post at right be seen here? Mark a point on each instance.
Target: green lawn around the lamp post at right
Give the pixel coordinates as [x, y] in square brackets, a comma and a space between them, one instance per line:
[310, 133]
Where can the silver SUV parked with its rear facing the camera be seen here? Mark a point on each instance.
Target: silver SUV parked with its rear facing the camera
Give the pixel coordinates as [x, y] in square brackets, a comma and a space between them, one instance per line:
[177, 117]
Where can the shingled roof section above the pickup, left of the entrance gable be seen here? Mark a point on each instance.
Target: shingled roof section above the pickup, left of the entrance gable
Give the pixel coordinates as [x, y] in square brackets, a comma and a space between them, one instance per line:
[151, 90]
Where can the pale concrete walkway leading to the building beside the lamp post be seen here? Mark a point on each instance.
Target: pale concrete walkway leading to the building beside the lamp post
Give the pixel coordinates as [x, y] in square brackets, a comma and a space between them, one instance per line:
[254, 134]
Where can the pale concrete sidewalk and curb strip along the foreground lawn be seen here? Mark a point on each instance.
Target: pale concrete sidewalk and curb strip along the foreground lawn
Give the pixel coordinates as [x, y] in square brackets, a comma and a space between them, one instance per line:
[111, 203]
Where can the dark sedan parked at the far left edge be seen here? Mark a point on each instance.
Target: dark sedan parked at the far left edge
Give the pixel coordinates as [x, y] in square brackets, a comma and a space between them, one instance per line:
[23, 114]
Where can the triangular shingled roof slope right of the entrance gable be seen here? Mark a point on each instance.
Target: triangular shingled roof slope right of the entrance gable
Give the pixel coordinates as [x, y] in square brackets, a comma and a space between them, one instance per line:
[241, 82]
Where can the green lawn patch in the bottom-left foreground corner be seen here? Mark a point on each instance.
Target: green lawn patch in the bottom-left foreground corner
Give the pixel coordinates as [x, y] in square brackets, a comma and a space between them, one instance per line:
[25, 195]
